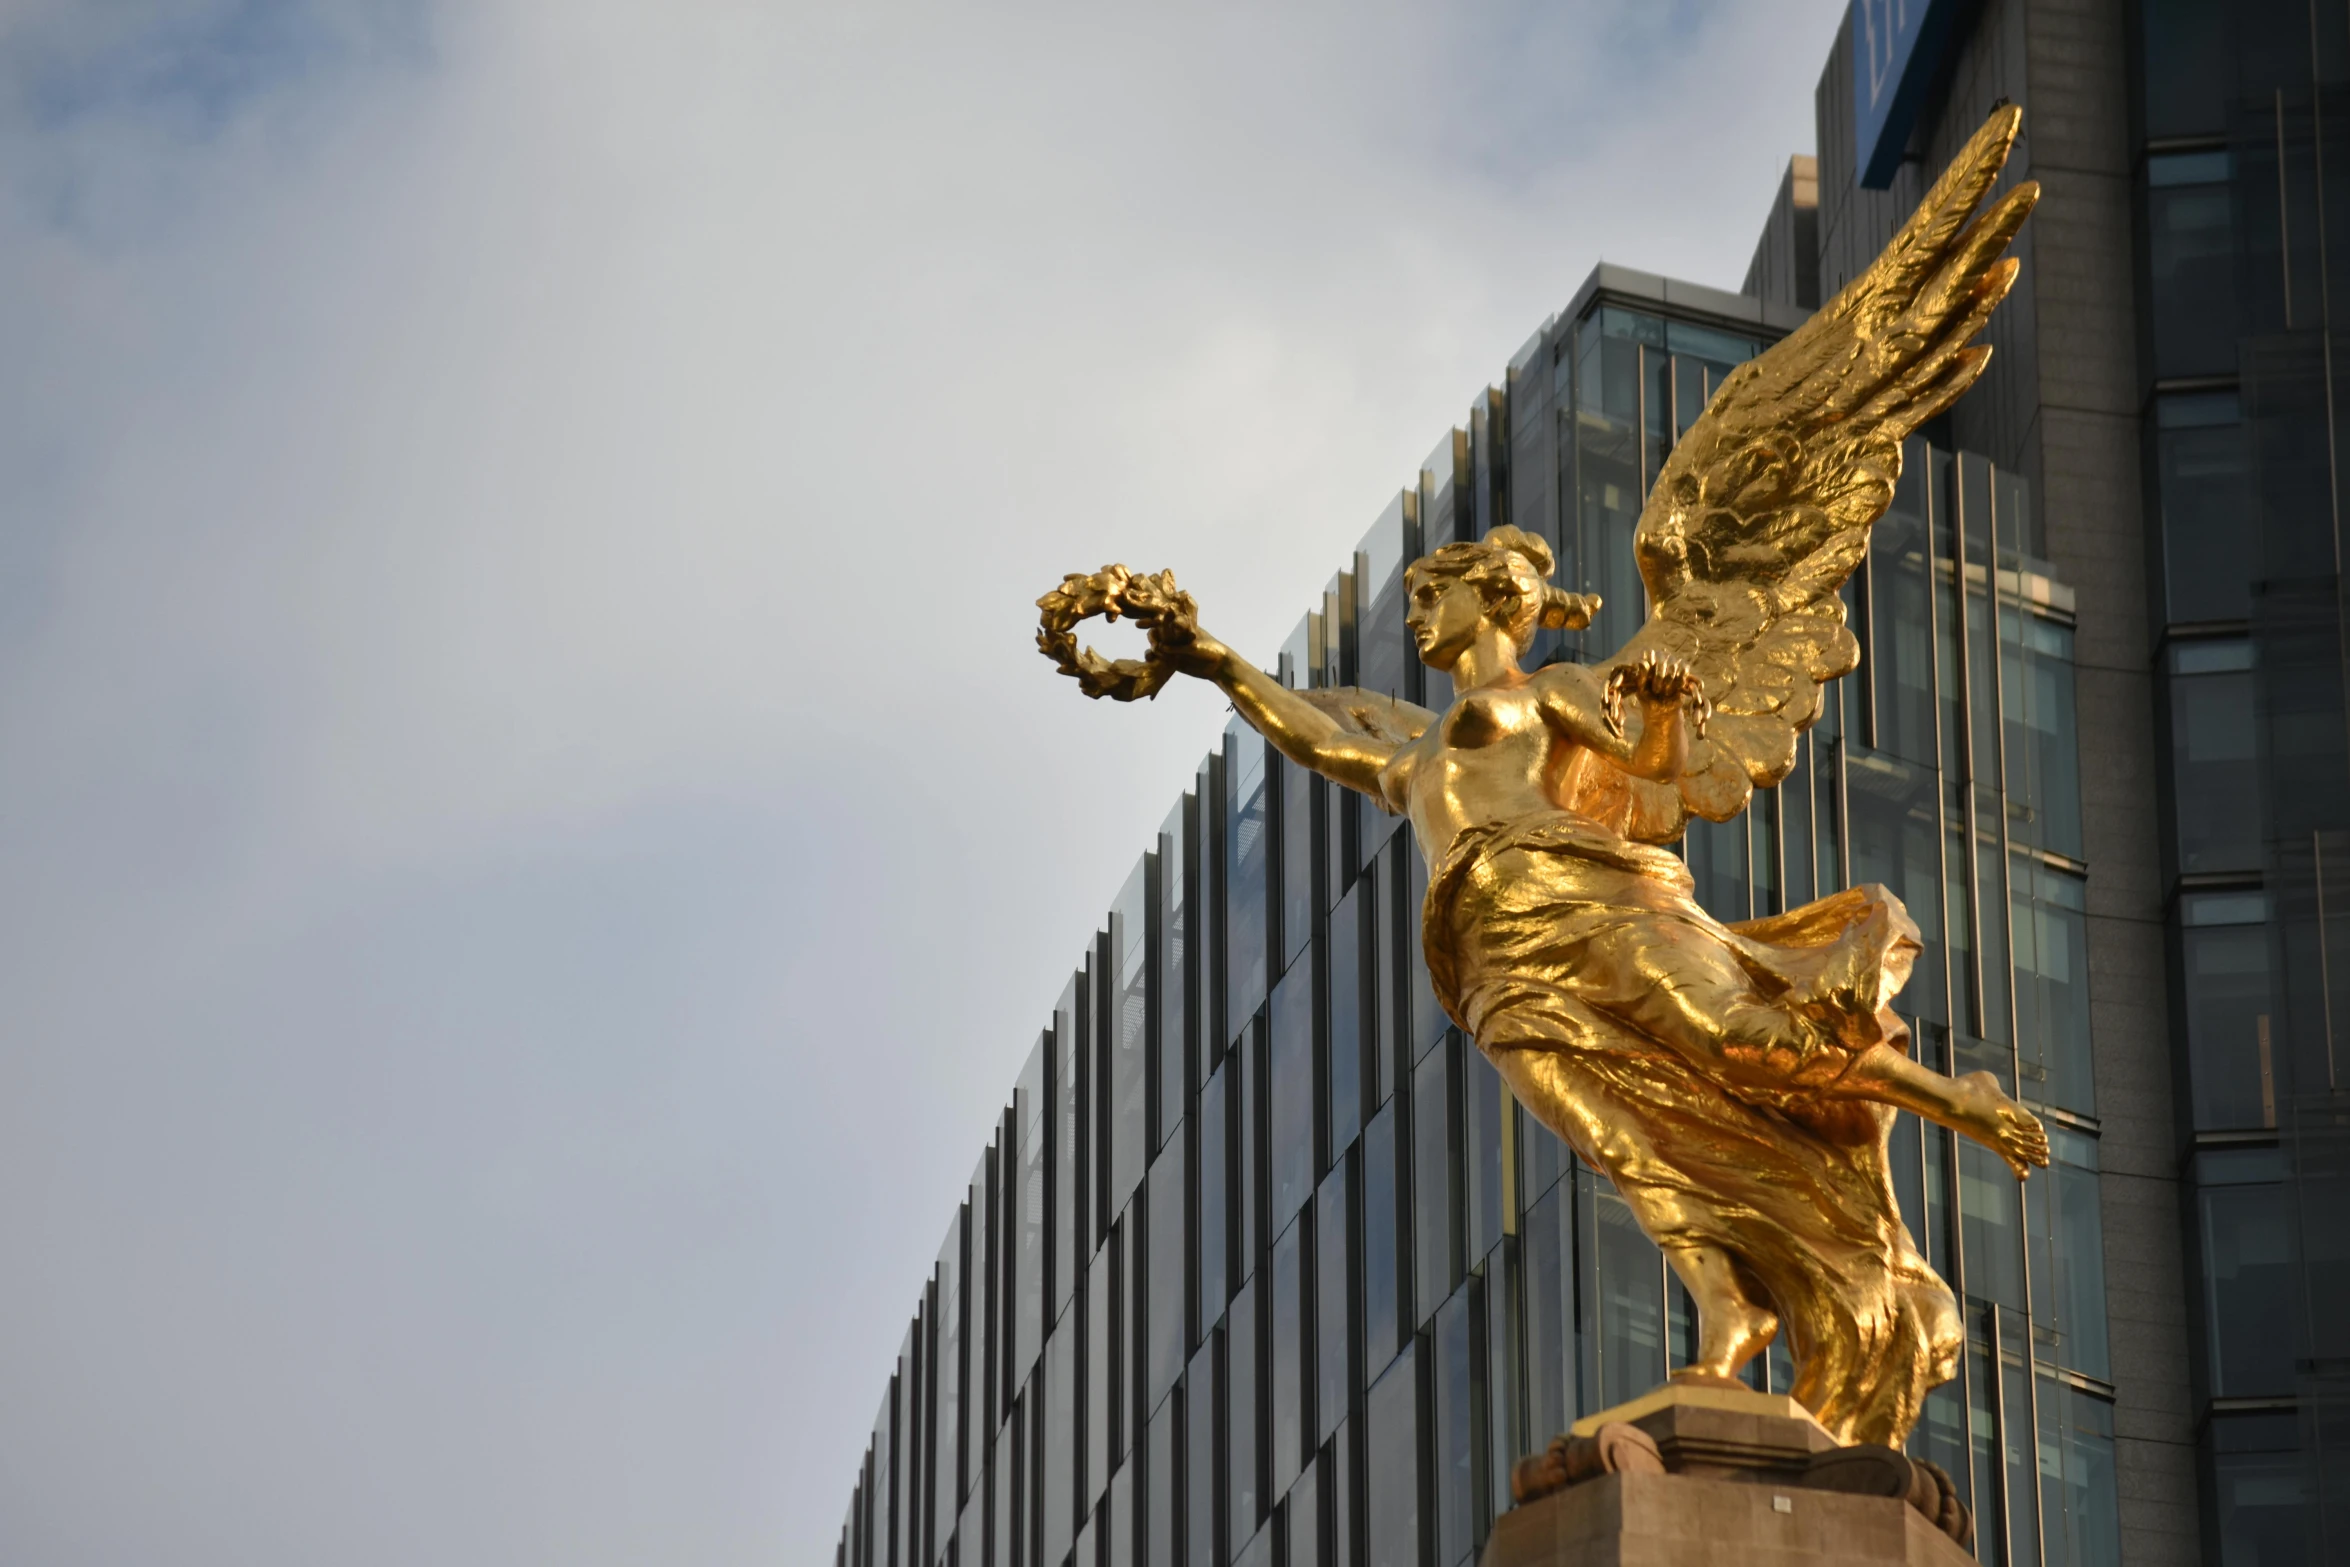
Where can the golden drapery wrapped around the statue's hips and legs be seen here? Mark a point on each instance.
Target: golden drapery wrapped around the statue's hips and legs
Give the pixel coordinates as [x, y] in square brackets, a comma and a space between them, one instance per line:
[1684, 1061]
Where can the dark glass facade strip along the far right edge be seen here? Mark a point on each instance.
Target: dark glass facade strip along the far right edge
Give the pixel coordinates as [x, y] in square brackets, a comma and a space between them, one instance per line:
[2241, 114]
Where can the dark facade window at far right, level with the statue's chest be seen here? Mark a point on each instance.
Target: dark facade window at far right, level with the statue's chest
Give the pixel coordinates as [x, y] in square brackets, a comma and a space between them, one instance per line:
[2215, 758]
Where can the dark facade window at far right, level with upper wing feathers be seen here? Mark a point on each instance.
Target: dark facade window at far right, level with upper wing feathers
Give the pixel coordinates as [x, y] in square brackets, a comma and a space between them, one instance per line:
[2191, 264]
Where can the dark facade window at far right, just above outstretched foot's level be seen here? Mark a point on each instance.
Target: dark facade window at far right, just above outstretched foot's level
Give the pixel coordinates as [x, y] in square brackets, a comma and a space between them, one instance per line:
[2224, 969]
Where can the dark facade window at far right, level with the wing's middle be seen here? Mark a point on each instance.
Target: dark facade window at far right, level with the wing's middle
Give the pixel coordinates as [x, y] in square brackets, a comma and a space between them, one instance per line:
[2210, 544]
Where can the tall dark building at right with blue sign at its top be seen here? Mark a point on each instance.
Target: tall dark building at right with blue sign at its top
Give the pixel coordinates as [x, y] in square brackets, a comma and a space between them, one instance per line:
[2168, 384]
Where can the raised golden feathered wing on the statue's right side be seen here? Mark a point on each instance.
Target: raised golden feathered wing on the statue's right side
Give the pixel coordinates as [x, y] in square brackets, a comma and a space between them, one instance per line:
[1764, 509]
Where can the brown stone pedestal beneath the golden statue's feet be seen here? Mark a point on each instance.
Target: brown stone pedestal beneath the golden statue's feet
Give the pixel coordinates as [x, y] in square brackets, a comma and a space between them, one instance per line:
[1693, 1477]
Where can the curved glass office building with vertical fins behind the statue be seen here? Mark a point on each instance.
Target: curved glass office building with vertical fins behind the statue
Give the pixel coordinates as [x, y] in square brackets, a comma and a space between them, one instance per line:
[1263, 1265]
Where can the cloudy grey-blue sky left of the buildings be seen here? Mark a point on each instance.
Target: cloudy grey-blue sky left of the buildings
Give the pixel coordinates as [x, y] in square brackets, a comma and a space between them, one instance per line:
[535, 835]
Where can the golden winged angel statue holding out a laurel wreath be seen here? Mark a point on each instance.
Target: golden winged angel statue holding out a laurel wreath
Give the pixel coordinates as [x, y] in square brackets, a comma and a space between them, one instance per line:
[1735, 1082]
